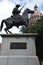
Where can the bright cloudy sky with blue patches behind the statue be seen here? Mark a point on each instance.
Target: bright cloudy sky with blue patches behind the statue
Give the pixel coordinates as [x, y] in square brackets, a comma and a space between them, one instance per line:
[6, 7]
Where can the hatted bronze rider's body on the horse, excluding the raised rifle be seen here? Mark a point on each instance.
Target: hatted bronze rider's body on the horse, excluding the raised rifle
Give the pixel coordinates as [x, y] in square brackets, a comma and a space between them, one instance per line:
[16, 12]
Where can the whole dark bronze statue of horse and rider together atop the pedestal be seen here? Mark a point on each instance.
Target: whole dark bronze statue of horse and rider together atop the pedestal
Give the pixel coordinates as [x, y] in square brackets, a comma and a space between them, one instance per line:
[15, 19]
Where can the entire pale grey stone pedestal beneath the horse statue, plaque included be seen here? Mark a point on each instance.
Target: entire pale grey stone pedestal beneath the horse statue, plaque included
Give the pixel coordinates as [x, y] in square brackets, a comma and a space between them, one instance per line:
[19, 49]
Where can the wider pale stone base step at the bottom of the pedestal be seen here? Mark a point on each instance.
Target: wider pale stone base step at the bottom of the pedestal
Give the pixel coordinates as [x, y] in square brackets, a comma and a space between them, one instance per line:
[19, 60]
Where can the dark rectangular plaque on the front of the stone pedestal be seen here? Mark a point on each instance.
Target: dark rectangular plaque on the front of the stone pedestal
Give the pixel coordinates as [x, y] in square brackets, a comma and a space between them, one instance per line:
[19, 45]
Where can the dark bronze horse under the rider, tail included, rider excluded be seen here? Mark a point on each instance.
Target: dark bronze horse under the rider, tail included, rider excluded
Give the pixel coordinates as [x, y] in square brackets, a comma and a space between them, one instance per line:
[19, 21]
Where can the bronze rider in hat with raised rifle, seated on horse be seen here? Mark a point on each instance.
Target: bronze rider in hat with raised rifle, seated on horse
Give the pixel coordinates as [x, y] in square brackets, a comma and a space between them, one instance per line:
[16, 17]
